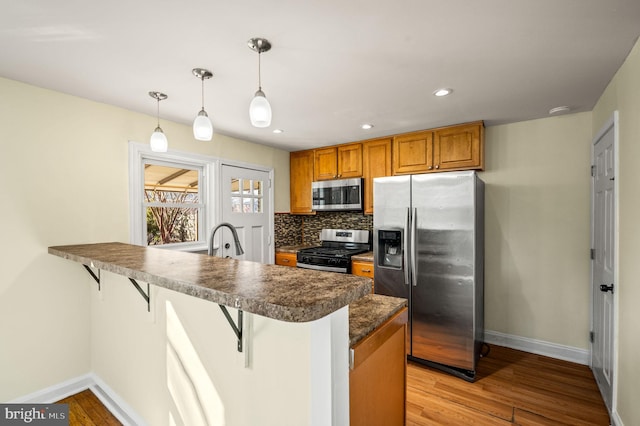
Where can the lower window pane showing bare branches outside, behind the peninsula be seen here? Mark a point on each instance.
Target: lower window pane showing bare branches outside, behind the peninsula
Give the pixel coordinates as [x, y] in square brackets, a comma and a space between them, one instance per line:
[166, 225]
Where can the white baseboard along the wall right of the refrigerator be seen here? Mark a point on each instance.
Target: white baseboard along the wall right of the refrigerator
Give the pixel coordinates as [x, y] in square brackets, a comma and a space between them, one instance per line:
[540, 347]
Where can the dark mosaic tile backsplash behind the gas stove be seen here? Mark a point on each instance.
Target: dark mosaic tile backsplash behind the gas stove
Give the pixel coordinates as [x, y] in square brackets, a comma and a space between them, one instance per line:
[293, 229]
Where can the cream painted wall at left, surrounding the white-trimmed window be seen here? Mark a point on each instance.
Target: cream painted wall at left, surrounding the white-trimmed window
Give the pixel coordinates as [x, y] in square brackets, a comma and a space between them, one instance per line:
[64, 168]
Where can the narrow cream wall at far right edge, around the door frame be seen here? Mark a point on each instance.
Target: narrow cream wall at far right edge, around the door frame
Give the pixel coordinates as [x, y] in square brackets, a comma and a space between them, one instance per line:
[623, 94]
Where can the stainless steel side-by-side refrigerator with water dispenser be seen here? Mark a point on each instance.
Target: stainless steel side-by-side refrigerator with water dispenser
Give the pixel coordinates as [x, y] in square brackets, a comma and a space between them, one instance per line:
[429, 248]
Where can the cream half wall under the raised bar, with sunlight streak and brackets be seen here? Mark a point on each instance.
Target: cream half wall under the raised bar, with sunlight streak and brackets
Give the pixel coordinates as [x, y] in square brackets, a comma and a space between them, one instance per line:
[180, 361]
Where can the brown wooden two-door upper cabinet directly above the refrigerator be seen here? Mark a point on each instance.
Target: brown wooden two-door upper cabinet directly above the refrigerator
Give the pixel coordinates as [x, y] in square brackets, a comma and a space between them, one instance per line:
[449, 148]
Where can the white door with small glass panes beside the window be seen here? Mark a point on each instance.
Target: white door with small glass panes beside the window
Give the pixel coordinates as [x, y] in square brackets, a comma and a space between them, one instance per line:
[246, 205]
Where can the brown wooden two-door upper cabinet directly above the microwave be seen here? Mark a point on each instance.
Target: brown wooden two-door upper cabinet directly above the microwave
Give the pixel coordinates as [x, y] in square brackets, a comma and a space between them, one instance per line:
[338, 162]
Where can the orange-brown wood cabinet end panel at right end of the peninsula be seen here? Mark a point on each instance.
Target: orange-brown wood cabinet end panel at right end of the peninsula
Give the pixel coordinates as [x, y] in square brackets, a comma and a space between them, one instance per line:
[378, 380]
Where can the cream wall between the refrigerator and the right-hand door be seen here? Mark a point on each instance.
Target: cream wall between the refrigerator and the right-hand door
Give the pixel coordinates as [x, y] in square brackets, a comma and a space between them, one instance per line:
[537, 229]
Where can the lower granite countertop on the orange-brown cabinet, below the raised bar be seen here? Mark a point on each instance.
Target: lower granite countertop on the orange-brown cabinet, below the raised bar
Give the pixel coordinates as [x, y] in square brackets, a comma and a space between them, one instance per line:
[367, 313]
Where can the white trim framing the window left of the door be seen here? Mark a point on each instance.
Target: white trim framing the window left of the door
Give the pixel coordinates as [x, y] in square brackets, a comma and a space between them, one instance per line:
[210, 165]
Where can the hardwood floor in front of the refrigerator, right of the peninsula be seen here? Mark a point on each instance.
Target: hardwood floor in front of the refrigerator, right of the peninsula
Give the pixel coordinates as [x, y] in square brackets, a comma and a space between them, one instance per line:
[512, 387]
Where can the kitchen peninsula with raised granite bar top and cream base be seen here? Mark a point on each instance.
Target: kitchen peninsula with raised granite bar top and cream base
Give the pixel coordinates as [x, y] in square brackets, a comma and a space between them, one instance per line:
[293, 369]
